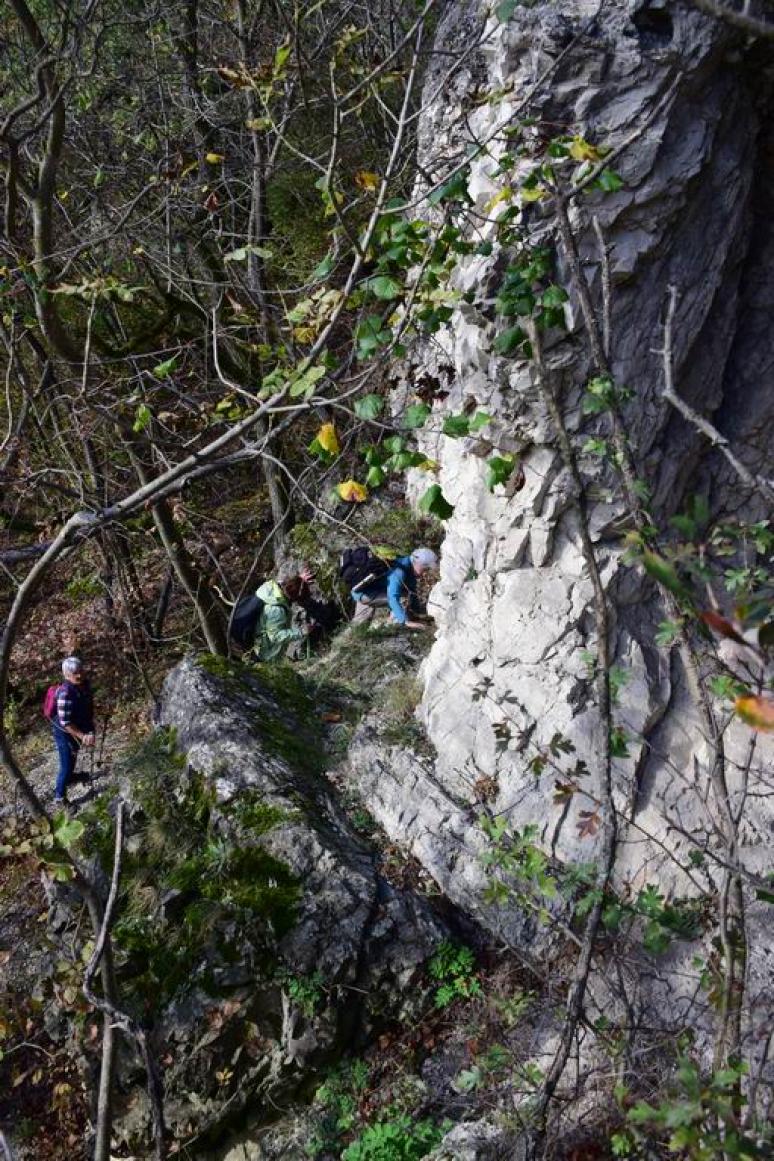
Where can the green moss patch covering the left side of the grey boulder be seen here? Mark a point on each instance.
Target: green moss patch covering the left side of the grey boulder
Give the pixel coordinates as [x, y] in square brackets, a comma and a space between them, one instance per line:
[192, 874]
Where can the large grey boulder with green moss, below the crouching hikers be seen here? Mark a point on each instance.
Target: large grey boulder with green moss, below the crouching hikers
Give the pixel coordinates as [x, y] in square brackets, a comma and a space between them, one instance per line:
[307, 948]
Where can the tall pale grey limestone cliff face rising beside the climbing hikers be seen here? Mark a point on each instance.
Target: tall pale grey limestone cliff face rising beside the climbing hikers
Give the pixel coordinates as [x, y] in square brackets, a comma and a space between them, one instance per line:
[509, 672]
